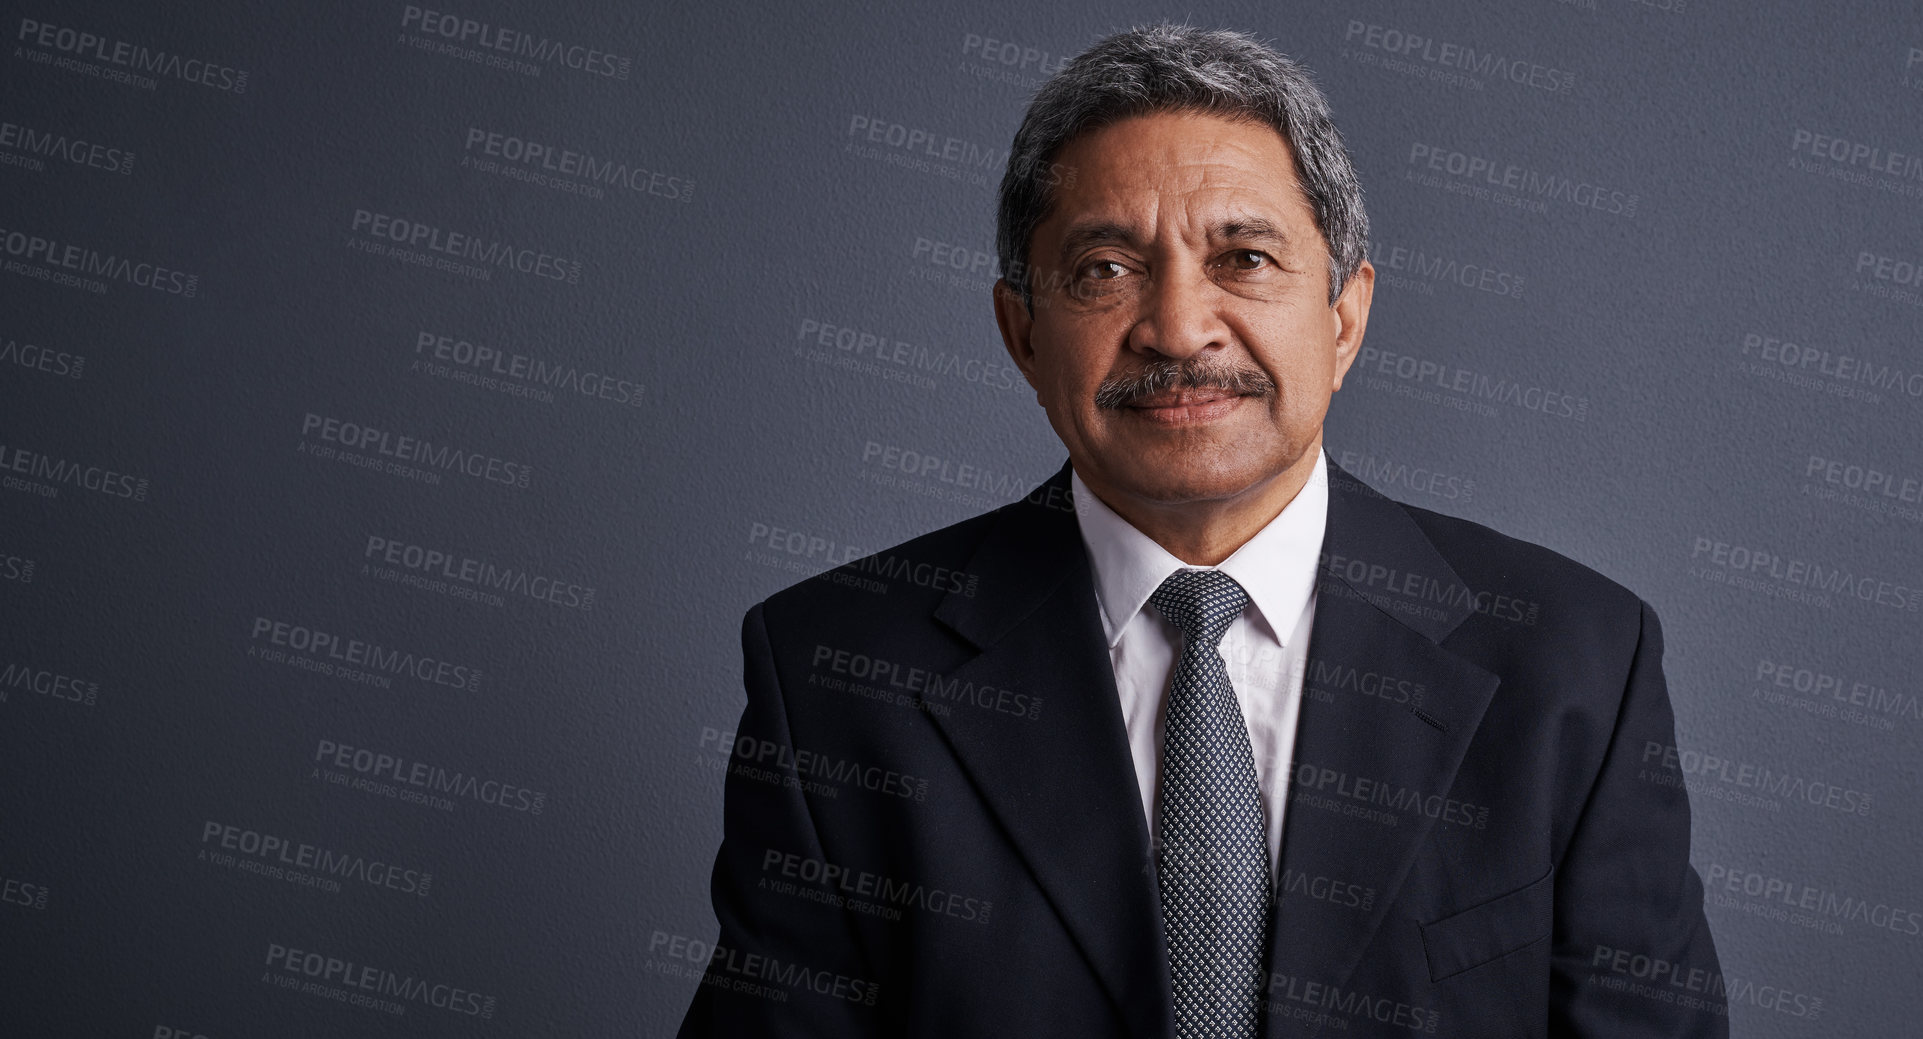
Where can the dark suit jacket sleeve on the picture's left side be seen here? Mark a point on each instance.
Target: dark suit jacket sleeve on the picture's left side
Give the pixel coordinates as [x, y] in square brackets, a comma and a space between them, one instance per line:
[784, 967]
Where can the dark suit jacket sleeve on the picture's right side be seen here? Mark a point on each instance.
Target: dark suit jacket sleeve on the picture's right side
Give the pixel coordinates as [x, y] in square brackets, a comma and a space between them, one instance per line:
[1632, 946]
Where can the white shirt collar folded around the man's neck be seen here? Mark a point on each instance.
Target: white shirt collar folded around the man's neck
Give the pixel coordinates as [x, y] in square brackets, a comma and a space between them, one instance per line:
[1276, 569]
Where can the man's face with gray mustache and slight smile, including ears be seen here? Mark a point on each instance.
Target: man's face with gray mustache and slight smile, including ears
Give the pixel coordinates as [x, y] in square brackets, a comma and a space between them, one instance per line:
[1182, 338]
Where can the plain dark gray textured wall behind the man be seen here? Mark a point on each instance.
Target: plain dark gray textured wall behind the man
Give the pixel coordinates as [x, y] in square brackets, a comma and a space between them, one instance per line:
[1684, 347]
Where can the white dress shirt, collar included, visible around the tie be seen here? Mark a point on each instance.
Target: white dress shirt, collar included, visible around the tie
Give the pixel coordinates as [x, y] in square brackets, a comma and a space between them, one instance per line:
[1266, 647]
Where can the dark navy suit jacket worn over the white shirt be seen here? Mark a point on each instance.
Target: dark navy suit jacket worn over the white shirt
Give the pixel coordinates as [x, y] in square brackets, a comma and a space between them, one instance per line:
[934, 824]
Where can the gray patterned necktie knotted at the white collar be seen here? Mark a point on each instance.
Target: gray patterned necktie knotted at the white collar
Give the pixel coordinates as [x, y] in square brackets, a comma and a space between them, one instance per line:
[1214, 853]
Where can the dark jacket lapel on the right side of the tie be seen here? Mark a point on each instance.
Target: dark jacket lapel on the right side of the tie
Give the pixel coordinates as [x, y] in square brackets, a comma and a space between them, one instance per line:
[1386, 599]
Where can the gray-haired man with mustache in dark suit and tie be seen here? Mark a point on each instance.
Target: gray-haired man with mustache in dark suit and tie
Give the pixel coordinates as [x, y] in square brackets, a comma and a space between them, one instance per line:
[1203, 738]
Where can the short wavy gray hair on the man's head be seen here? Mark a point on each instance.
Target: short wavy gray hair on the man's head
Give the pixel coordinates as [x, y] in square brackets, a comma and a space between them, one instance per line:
[1180, 68]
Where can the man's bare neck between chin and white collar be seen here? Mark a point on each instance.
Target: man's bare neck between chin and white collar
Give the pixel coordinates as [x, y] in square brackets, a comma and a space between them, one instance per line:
[1209, 532]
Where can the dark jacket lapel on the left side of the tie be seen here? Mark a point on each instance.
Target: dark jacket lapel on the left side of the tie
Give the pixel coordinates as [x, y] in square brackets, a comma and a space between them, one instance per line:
[1062, 780]
